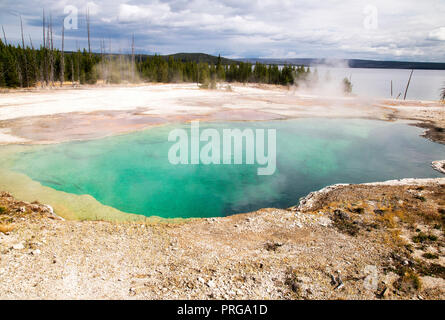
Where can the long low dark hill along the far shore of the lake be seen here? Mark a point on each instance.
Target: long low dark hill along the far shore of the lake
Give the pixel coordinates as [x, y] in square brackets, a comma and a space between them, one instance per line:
[353, 63]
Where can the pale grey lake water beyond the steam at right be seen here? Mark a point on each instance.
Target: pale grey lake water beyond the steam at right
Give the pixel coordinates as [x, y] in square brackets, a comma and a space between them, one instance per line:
[376, 83]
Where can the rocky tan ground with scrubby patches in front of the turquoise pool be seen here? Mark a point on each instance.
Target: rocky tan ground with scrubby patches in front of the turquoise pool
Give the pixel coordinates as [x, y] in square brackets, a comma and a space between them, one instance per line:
[370, 241]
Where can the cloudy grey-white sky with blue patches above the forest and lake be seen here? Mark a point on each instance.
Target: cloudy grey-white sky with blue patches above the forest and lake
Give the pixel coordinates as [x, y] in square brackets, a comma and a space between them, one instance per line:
[383, 29]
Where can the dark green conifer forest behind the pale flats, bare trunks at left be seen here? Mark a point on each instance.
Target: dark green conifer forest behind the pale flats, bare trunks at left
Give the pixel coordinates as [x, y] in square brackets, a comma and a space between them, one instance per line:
[22, 66]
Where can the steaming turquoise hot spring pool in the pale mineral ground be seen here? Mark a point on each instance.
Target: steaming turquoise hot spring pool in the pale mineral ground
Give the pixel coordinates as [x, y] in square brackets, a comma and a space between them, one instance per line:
[132, 172]
